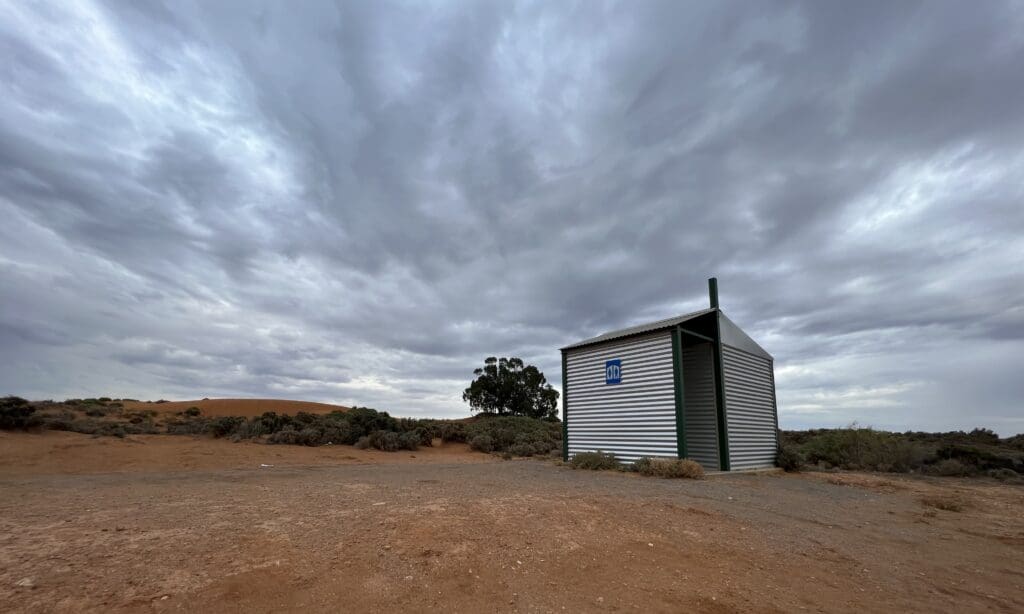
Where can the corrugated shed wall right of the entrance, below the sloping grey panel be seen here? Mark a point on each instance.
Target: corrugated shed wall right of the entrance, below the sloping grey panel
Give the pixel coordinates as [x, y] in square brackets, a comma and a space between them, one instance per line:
[750, 408]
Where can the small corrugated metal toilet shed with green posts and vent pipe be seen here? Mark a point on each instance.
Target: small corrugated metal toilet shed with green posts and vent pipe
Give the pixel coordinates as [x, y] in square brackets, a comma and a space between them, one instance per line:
[694, 385]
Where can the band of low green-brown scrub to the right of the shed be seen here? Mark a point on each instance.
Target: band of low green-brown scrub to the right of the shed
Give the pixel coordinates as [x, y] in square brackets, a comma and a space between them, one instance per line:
[957, 454]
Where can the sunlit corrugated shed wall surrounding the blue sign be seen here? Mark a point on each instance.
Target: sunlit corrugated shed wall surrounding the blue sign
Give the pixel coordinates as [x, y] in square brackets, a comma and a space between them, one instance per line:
[636, 418]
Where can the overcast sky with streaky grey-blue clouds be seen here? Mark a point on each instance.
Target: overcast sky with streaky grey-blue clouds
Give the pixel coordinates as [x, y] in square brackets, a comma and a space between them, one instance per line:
[357, 203]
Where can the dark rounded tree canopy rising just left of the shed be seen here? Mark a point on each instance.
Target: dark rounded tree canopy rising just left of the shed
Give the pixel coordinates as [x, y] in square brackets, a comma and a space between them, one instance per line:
[509, 387]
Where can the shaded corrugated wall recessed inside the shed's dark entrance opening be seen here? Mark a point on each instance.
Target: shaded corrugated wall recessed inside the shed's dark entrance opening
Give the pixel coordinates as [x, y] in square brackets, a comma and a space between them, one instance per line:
[702, 416]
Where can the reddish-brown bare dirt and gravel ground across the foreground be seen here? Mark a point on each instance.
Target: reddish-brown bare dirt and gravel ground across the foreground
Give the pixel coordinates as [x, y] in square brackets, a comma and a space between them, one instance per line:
[426, 535]
